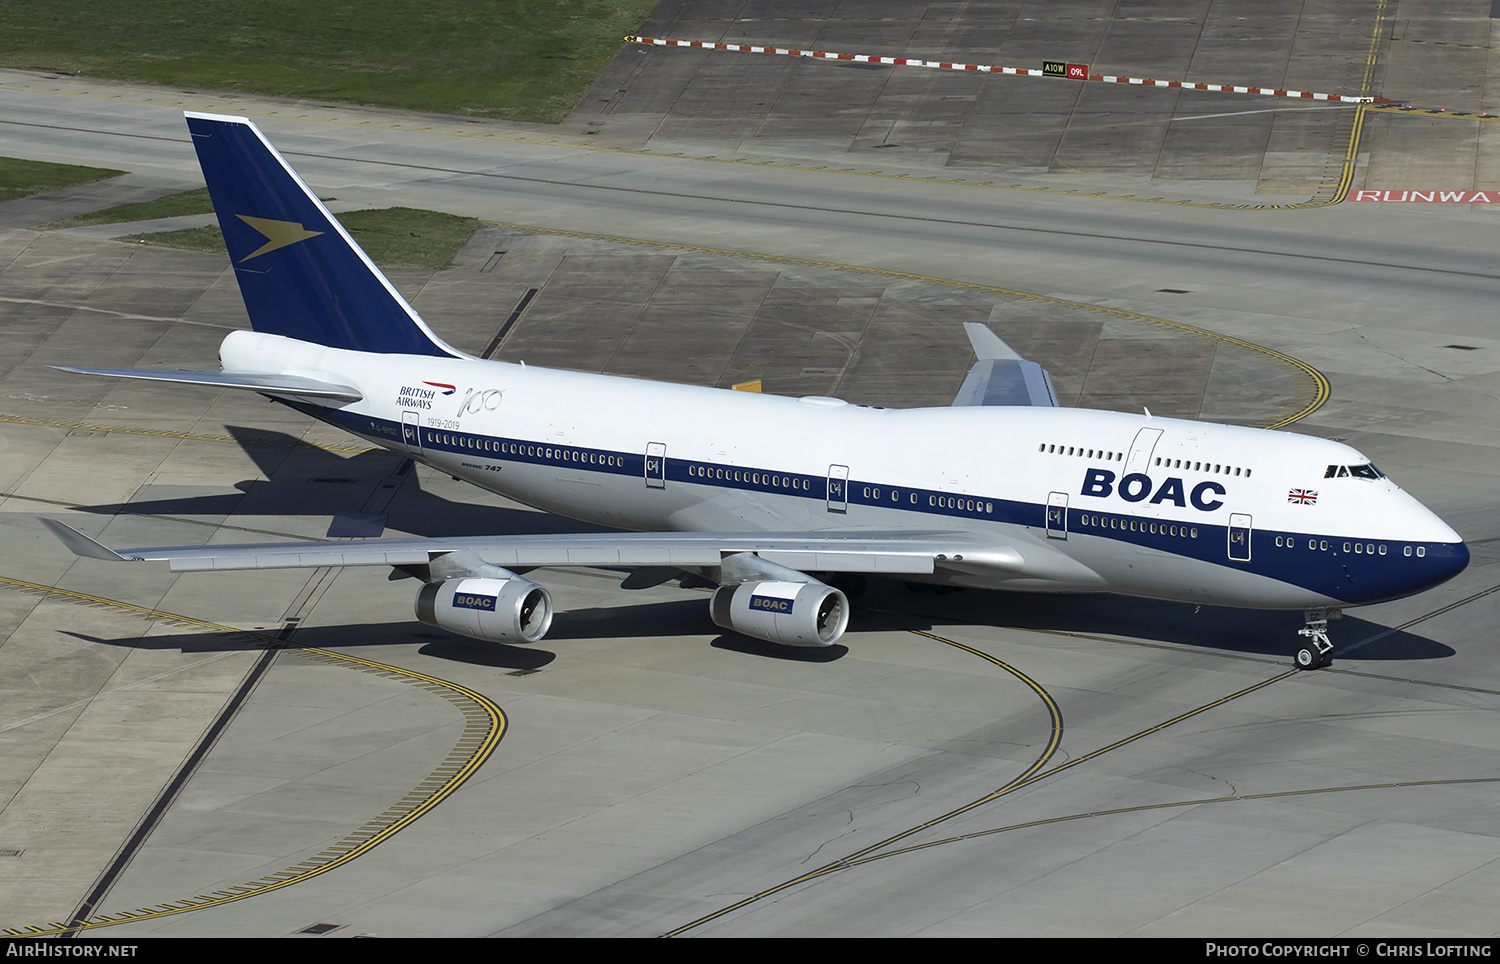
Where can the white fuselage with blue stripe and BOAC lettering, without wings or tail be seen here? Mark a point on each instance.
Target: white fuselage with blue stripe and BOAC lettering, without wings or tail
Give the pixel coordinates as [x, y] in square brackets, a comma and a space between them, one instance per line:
[1117, 503]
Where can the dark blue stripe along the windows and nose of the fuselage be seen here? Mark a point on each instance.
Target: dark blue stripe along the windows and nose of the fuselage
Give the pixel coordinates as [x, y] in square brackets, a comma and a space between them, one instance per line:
[1334, 573]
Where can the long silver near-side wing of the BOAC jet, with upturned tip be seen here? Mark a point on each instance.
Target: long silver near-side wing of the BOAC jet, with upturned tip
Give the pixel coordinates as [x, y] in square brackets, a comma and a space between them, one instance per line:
[844, 551]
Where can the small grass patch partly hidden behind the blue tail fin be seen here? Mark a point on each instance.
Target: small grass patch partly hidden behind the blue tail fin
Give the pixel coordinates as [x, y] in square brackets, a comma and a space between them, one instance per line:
[394, 238]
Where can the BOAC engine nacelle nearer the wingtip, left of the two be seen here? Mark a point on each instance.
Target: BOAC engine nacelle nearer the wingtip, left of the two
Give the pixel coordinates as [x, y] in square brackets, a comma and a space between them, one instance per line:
[497, 611]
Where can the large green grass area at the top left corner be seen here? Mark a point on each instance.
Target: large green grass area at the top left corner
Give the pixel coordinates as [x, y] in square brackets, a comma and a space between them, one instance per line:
[514, 59]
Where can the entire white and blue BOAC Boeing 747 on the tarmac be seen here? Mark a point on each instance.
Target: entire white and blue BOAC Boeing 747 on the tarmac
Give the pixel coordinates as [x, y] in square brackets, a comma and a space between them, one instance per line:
[767, 497]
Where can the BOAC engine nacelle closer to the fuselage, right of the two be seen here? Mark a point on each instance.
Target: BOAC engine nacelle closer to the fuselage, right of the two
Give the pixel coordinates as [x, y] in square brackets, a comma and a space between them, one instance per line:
[793, 614]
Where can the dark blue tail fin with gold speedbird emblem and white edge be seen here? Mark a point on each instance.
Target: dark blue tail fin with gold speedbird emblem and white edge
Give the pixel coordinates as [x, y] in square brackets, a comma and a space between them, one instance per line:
[299, 271]
